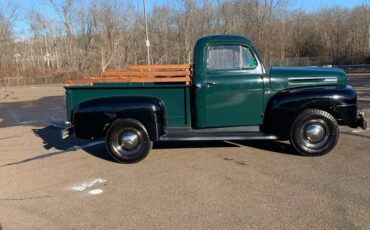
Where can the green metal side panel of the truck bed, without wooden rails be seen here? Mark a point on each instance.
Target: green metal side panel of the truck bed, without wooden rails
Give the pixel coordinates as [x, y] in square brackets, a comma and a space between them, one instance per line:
[174, 96]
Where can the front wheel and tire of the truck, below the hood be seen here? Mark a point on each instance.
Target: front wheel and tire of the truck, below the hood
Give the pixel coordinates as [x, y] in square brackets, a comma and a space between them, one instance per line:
[314, 132]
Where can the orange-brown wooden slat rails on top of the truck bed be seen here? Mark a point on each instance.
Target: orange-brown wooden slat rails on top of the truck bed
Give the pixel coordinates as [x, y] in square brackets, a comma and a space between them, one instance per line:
[141, 74]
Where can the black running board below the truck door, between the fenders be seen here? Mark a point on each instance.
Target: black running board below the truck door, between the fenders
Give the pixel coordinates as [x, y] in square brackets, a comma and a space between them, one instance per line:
[195, 135]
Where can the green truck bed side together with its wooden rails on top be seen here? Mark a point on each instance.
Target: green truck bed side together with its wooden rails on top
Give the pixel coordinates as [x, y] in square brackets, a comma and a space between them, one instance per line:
[168, 83]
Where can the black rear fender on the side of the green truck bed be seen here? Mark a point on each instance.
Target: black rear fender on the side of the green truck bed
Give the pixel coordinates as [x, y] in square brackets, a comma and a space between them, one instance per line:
[92, 118]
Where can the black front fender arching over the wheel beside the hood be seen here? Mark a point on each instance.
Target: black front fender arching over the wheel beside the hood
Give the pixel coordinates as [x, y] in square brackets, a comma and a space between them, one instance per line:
[283, 107]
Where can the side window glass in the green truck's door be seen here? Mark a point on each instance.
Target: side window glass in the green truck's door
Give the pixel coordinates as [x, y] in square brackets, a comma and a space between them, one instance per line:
[230, 57]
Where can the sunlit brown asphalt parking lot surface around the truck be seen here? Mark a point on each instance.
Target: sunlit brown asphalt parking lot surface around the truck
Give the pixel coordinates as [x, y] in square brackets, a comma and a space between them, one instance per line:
[49, 183]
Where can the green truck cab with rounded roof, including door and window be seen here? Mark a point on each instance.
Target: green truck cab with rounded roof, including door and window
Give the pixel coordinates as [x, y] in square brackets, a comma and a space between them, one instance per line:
[229, 82]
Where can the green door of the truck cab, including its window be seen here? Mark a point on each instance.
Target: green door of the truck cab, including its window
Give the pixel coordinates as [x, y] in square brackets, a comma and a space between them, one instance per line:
[233, 86]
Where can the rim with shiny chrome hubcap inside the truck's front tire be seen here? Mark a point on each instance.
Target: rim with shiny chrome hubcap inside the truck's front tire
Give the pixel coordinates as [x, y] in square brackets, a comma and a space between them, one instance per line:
[314, 134]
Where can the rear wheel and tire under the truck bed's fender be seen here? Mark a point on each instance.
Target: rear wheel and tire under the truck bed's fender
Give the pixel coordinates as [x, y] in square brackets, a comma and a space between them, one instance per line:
[128, 141]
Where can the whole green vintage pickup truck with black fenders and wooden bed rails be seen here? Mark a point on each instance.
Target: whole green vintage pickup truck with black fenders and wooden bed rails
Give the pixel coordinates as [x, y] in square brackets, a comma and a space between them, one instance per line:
[230, 96]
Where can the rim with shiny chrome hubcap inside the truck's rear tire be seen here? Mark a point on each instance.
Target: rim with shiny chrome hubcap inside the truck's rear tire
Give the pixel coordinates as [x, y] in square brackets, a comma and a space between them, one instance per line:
[127, 142]
